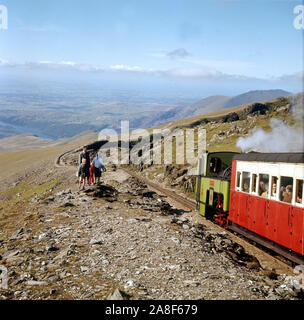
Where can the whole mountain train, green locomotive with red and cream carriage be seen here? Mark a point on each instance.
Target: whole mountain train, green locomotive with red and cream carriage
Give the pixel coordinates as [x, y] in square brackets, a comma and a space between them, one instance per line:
[259, 195]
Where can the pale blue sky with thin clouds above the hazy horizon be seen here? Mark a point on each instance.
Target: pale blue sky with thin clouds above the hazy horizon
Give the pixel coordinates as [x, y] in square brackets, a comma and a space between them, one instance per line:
[225, 45]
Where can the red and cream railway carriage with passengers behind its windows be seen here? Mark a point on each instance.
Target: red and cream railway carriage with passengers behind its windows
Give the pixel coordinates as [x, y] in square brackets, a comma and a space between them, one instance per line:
[267, 198]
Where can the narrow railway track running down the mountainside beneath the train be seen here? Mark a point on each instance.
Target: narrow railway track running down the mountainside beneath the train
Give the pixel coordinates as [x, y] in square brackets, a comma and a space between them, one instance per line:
[246, 240]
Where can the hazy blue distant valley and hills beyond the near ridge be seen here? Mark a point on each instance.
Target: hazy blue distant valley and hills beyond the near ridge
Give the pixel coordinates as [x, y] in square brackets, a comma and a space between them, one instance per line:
[55, 116]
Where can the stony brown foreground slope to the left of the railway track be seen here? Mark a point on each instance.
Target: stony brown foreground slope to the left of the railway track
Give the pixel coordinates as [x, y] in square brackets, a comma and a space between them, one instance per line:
[120, 240]
